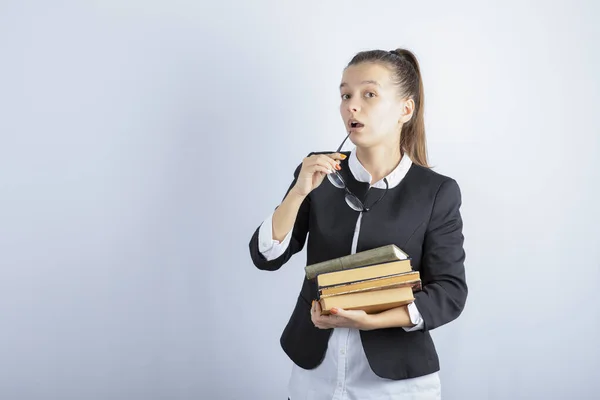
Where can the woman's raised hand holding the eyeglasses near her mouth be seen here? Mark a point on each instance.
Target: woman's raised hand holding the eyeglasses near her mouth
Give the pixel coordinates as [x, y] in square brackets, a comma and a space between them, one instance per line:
[313, 171]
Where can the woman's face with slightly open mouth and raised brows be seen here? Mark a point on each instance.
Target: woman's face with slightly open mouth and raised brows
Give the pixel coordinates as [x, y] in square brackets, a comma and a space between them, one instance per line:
[370, 105]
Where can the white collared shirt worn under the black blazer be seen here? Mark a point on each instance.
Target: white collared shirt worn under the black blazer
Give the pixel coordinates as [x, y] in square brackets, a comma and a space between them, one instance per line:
[345, 373]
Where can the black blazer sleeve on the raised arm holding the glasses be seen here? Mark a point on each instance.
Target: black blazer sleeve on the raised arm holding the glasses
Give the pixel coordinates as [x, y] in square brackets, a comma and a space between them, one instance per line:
[297, 240]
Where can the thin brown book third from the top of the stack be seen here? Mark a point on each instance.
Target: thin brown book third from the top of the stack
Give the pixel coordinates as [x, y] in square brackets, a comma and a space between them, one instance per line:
[411, 279]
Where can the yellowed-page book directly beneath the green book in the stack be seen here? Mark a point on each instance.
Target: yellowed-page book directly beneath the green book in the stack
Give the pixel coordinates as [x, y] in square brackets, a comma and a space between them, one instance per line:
[362, 273]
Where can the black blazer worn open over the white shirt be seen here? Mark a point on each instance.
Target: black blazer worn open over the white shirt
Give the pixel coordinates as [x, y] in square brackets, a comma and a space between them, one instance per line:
[421, 216]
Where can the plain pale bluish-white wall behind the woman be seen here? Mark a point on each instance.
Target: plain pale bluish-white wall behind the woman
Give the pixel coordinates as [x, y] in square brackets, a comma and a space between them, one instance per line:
[141, 143]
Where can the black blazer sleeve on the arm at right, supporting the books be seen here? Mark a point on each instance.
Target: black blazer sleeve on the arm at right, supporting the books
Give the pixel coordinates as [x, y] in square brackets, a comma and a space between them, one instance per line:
[444, 292]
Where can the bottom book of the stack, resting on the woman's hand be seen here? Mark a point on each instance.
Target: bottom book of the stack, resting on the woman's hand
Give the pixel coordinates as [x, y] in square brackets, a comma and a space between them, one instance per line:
[371, 302]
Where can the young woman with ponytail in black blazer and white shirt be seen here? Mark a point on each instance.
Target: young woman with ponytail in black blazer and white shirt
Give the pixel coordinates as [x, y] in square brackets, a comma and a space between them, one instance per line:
[387, 194]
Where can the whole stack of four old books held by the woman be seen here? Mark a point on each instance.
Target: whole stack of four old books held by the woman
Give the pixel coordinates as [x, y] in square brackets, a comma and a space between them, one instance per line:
[373, 280]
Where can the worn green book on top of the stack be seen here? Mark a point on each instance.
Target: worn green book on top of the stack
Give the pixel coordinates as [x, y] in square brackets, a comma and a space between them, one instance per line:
[377, 255]
